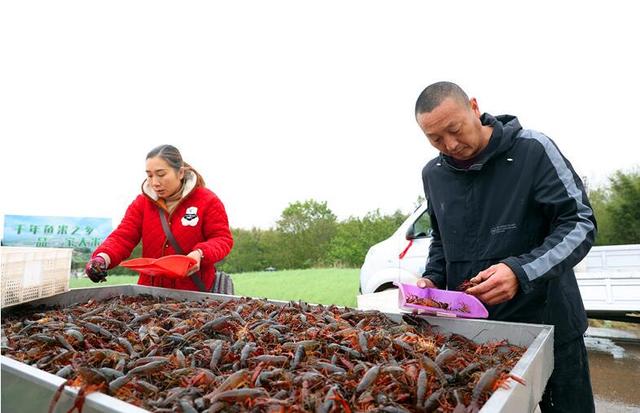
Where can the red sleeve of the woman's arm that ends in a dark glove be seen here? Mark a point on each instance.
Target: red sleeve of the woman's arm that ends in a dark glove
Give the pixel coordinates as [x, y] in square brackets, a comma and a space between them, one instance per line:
[125, 237]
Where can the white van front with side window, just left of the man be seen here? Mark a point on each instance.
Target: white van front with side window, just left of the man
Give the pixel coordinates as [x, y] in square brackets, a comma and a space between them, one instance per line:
[399, 258]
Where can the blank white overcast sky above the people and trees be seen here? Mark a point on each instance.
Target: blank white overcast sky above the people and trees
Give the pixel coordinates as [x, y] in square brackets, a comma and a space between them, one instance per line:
[277, 101]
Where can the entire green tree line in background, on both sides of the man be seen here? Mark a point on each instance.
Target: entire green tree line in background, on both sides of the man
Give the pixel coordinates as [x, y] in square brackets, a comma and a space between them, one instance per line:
[308, 233]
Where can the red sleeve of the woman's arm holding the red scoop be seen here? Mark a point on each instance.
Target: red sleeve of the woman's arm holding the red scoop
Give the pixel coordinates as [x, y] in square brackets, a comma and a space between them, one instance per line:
[216, 231]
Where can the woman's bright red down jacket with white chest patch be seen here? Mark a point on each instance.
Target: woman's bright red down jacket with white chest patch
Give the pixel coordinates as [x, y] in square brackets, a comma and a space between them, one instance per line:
[208, 231]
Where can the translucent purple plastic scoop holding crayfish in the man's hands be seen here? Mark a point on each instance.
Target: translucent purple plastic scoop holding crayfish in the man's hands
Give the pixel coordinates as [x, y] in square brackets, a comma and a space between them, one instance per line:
[440, 302]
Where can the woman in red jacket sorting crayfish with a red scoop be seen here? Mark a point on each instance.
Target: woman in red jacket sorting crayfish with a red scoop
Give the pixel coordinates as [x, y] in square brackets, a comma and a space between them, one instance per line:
[194, 214]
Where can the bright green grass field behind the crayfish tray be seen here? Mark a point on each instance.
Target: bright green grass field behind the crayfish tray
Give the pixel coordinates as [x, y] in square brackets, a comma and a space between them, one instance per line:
[318, 286]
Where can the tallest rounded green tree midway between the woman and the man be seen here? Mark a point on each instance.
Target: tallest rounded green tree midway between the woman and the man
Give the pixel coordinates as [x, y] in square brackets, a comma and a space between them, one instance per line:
[306, 229]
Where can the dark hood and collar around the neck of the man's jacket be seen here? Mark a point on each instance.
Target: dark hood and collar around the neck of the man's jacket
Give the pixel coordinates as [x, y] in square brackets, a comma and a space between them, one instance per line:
[505, 130]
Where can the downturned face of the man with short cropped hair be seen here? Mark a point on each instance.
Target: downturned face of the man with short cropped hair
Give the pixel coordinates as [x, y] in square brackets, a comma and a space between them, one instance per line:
[455, 129]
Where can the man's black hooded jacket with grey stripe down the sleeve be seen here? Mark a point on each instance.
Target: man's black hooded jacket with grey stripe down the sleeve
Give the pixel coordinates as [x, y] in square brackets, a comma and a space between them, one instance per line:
[521, 204]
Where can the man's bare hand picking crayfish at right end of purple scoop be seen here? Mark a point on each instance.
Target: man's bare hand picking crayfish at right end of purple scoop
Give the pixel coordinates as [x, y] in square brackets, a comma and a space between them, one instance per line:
[496, 284]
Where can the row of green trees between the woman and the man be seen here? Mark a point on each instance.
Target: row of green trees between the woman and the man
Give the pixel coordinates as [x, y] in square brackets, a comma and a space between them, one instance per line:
[307, 235]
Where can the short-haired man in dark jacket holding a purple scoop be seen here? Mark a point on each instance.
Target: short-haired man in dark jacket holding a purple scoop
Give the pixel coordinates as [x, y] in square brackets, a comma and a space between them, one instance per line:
[509, 213]
